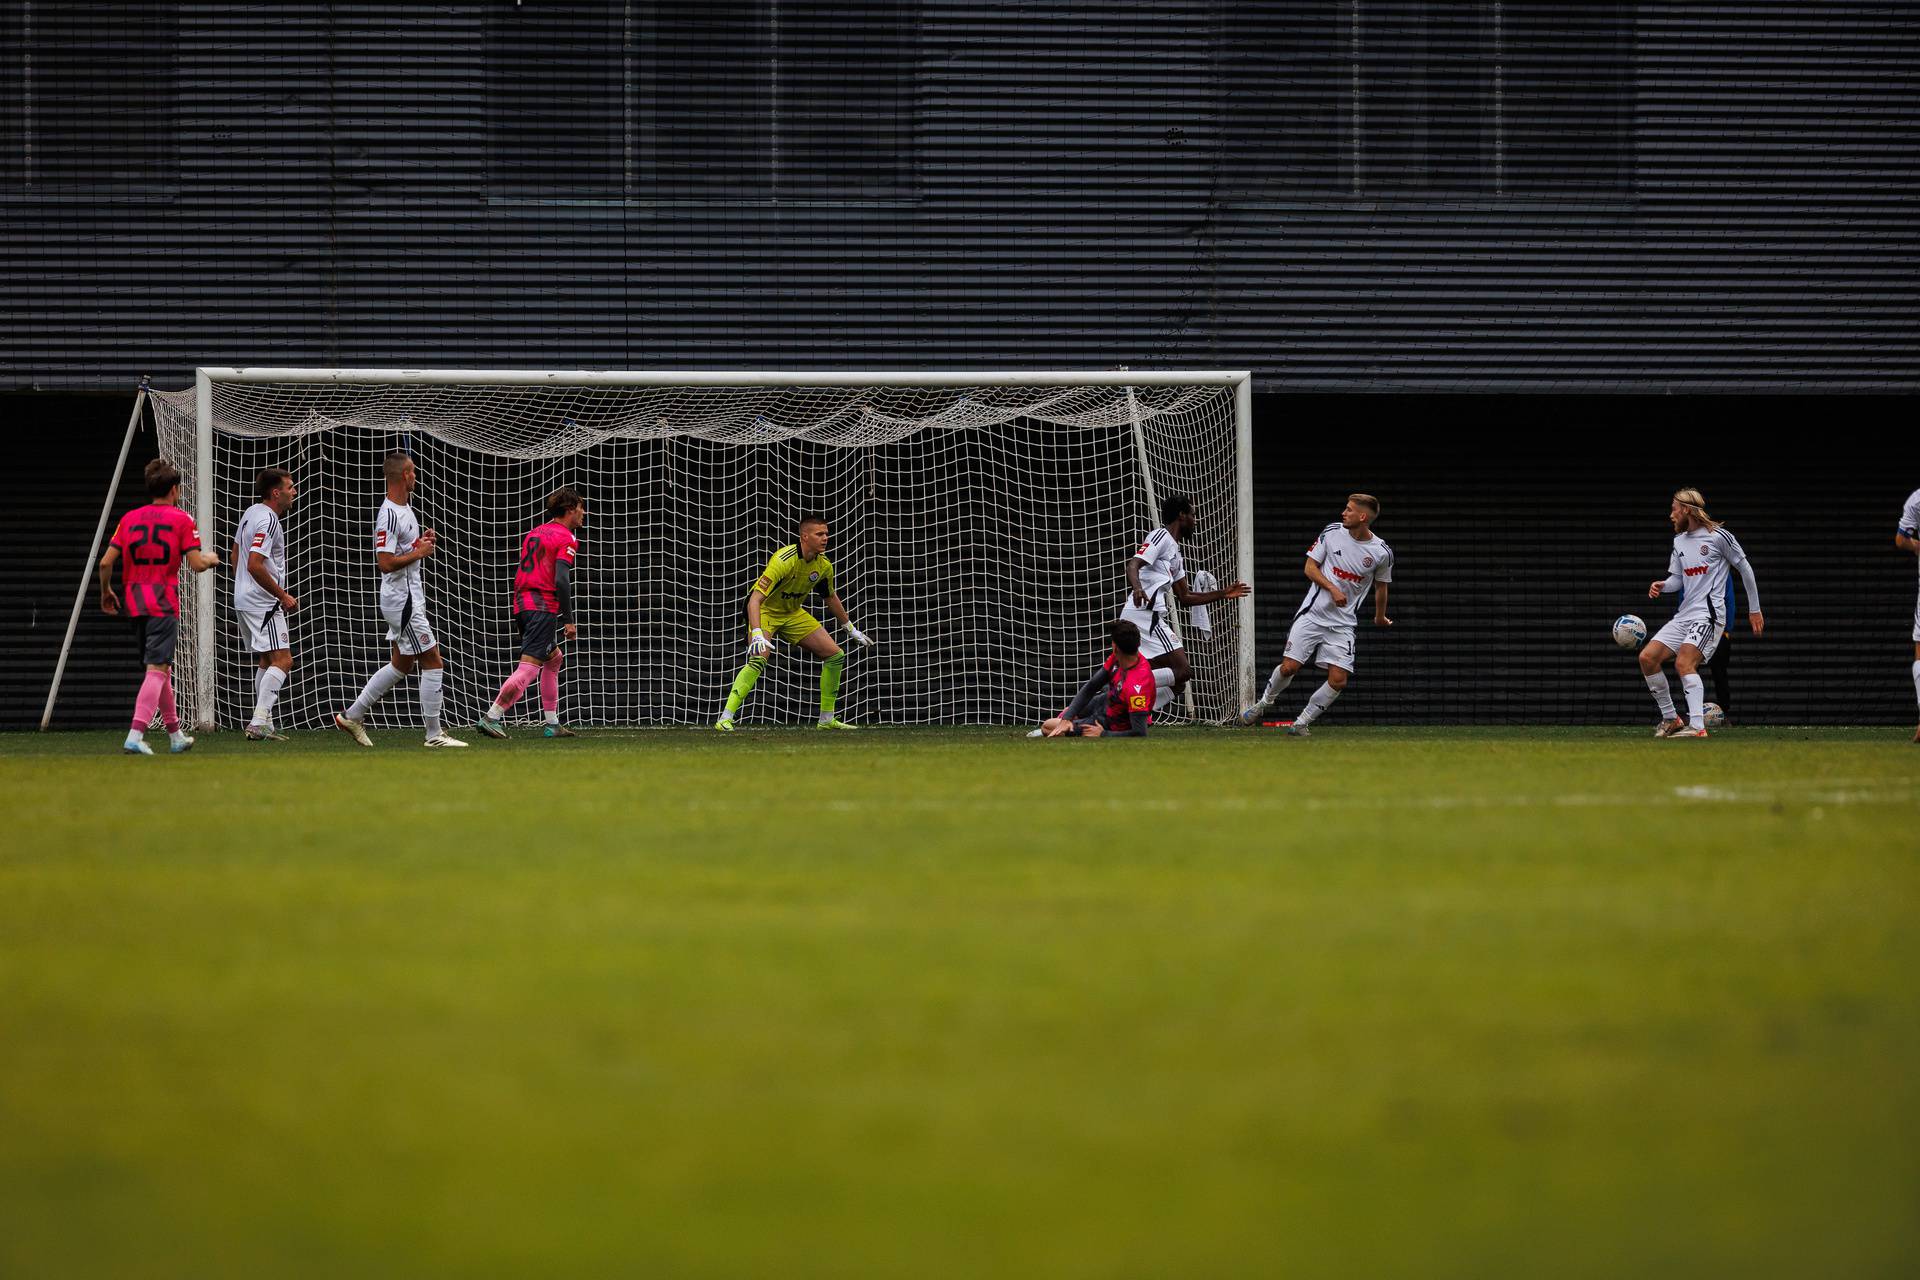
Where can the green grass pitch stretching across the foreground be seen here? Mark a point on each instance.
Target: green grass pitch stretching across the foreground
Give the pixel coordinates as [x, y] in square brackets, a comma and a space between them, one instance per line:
[961, 1005]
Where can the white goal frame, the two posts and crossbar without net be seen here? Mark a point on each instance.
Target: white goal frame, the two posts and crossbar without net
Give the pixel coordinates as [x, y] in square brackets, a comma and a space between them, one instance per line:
[1239, 381]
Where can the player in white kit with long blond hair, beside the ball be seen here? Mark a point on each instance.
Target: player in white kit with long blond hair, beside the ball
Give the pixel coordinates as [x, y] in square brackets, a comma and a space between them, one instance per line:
[1702, 559]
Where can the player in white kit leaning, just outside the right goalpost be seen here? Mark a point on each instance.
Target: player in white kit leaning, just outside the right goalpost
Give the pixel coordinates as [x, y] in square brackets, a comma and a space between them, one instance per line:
[1343, 565]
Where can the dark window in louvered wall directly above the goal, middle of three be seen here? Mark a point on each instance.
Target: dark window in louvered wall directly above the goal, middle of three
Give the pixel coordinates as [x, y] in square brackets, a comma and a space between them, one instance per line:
[719, 101]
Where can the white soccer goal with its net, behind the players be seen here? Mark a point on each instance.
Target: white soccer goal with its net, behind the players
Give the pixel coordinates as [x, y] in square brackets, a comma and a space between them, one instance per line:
[980, 529]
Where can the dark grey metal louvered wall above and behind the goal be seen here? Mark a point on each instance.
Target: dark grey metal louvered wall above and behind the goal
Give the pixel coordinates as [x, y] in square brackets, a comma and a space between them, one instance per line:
[1339, 195]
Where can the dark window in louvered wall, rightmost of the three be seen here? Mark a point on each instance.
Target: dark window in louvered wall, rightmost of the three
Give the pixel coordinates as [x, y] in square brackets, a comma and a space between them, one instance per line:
[1420, 99]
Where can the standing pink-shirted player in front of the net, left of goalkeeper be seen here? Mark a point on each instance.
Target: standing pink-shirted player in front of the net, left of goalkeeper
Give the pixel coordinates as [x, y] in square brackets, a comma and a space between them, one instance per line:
[544, 607]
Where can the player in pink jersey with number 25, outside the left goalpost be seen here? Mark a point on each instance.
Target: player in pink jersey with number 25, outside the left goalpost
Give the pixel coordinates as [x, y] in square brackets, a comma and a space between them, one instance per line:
[155, 542]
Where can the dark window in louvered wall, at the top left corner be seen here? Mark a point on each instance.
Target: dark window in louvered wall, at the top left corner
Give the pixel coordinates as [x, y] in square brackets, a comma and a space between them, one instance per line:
[87, 107]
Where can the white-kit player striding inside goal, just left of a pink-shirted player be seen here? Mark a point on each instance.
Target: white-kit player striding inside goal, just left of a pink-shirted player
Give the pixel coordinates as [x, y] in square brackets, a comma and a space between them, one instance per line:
[398, 548]
